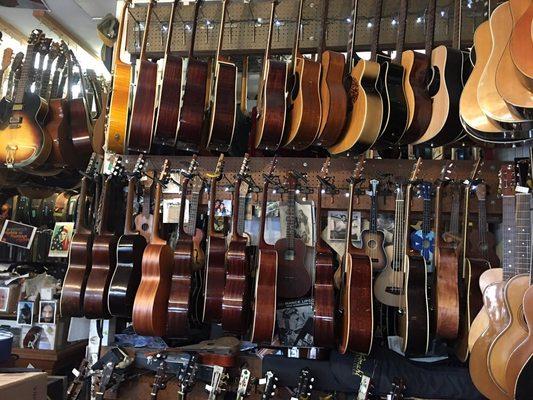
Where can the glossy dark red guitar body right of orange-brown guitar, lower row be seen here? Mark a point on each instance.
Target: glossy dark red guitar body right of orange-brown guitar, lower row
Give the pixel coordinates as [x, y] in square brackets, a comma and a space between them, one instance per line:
[179, 299]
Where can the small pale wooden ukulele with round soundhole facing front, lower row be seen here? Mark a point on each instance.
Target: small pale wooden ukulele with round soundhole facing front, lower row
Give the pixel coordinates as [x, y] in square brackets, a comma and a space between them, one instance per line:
[372, 238]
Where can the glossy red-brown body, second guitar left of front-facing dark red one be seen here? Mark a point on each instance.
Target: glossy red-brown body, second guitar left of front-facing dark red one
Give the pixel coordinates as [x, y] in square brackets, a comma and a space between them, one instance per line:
[236, 298]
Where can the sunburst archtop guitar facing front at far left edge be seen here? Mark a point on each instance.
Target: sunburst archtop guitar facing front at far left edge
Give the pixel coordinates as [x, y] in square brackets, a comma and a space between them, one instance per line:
[24, 143]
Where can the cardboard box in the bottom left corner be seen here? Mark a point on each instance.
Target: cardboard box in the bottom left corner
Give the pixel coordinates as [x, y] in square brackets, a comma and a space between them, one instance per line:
[23, 386]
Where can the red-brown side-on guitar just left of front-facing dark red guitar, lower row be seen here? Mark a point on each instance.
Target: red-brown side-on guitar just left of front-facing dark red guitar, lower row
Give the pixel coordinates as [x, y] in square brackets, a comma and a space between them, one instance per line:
[265, 293]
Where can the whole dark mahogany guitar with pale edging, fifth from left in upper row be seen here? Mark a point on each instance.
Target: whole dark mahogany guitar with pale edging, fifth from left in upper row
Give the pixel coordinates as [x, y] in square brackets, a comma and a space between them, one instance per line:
[224, 97]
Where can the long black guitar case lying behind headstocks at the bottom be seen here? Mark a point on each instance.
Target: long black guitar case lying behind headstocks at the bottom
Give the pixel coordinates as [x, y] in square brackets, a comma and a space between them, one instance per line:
[439, 380]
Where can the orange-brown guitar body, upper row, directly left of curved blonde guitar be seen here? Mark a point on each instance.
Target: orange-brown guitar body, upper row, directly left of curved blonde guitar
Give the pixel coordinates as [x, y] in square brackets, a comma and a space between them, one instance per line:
[333, 98]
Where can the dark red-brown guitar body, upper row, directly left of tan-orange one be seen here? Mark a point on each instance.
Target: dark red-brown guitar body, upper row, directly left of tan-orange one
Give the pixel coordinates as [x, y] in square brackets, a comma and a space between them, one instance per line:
[271, 121]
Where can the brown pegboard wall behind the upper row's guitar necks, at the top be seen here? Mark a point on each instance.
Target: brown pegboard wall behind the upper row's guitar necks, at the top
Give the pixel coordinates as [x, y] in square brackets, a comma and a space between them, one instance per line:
[247, 25]
